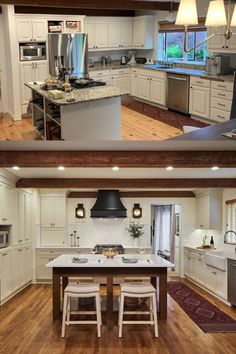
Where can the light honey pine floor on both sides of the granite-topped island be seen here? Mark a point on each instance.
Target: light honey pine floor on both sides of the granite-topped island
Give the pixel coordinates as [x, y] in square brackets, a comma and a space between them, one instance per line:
[135, 126]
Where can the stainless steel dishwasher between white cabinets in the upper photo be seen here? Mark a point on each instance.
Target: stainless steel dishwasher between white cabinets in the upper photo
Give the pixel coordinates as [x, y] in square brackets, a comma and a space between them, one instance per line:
[178, 92]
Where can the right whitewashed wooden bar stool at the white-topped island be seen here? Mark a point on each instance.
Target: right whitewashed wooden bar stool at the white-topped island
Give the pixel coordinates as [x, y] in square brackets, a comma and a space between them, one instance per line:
[138, 290]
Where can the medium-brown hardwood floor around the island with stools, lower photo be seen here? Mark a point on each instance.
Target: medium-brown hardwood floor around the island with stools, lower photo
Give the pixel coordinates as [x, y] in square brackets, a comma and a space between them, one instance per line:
[26, 327]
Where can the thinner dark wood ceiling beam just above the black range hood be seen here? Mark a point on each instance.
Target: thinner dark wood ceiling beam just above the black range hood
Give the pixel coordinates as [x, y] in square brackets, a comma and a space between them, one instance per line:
[70, 183]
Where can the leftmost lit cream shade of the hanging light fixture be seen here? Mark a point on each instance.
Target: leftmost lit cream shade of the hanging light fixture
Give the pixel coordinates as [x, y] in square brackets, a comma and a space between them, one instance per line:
[187, 13]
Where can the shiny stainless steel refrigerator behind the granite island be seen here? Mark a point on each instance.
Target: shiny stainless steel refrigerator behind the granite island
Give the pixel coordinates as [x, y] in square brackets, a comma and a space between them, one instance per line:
[68, 52]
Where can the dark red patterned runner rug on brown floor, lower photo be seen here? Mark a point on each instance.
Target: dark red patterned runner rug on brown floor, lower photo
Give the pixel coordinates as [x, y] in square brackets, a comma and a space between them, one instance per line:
[207, 316]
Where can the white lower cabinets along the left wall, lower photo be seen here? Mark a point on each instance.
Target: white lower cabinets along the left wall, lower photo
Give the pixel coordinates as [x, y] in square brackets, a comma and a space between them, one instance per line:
[16, 269]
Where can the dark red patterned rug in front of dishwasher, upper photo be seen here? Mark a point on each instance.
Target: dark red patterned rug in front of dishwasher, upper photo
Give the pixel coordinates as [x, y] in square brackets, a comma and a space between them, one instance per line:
[174, 119]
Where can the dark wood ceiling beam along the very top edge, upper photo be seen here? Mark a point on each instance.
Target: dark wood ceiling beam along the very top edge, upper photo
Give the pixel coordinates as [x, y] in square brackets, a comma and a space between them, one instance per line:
[95, 4]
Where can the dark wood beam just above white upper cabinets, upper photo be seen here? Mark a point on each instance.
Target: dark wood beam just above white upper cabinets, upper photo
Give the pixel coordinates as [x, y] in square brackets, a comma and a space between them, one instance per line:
[71, 11]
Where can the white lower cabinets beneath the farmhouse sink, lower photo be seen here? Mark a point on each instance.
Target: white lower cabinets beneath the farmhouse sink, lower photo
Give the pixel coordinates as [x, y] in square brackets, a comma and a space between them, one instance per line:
[211, 278]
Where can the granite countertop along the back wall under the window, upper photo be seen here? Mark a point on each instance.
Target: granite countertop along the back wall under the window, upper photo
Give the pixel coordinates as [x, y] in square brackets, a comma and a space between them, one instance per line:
[175, 70]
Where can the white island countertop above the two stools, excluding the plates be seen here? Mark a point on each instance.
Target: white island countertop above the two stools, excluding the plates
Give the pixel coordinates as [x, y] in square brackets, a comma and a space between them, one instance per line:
[100, 261]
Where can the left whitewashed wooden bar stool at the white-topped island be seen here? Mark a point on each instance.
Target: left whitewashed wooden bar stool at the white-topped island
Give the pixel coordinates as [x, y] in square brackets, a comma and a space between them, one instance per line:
[81, 290]
